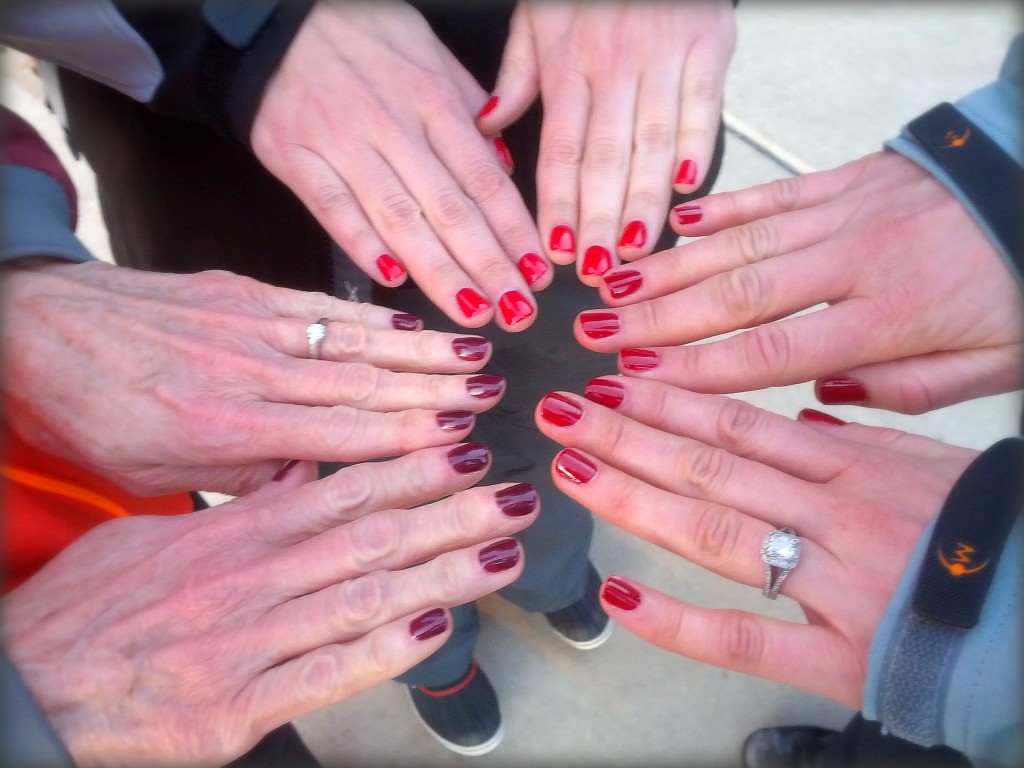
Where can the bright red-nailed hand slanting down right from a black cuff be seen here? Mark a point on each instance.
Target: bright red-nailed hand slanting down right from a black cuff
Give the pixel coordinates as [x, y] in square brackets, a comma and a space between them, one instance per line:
[369, 120]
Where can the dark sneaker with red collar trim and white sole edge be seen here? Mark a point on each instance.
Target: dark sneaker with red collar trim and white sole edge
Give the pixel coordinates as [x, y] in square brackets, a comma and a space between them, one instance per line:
[463, 716]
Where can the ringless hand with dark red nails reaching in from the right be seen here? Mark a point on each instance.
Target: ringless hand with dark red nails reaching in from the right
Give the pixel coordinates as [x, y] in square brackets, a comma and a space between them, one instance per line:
[923, 312]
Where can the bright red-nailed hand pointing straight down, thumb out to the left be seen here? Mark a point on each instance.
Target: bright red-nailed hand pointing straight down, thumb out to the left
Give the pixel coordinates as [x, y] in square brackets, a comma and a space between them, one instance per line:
[632, 100]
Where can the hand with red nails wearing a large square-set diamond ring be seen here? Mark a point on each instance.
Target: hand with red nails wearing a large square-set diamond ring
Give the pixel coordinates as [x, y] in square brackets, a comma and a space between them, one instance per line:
[708, 478]
